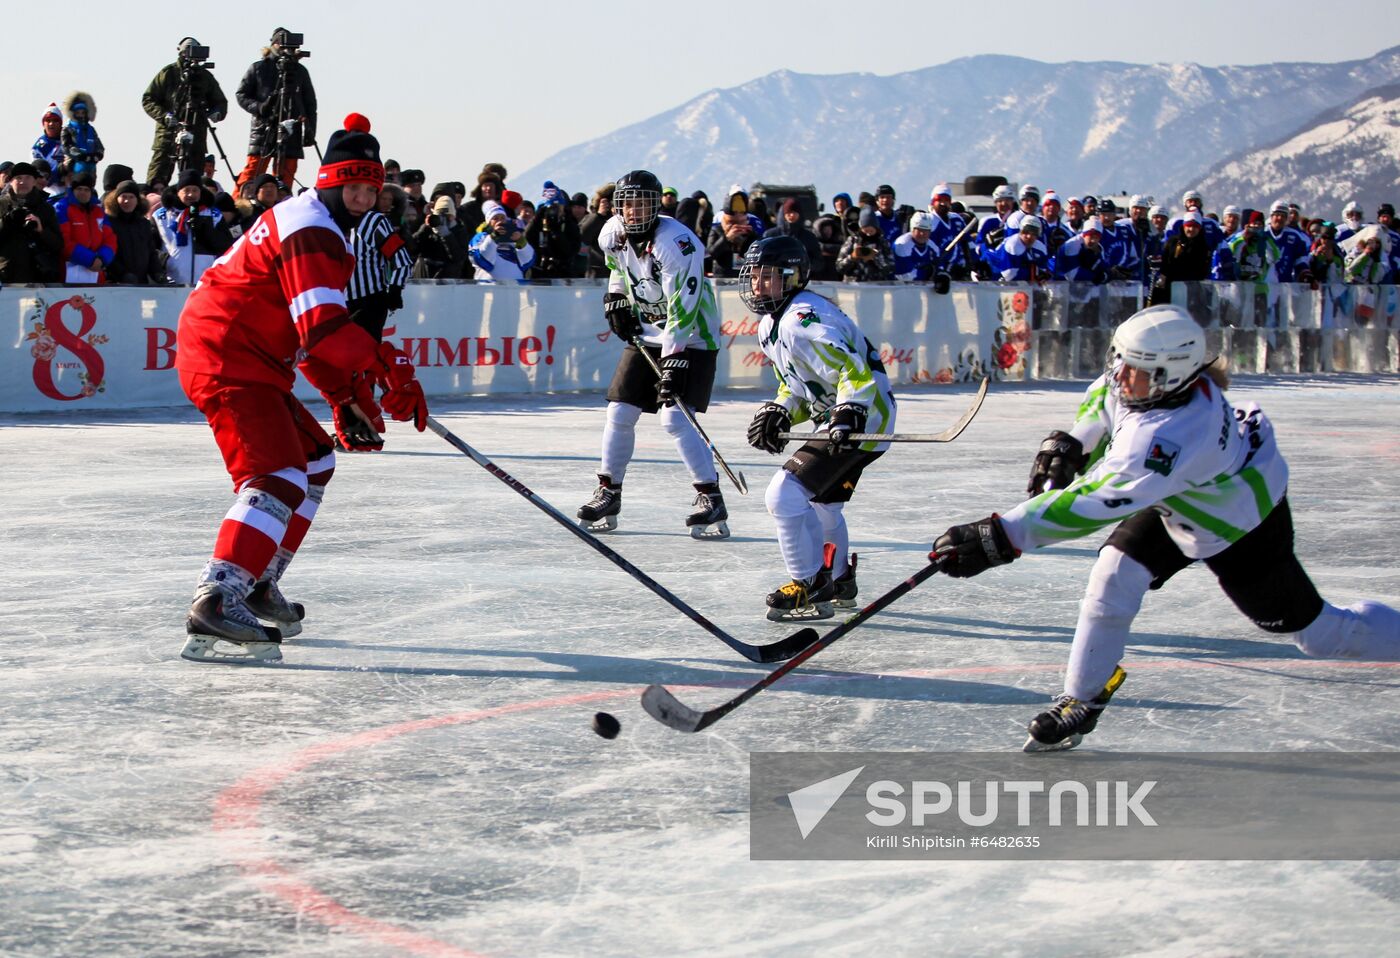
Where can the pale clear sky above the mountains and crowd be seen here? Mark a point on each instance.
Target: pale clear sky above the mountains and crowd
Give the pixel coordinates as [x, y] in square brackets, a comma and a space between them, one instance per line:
[450, 86]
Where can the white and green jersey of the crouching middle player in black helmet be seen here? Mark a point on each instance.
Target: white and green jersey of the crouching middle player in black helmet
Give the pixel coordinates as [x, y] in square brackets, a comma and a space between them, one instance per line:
[822, 359]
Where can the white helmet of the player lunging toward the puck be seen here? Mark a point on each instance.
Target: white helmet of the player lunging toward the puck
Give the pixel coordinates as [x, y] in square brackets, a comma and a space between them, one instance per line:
[1163, 341]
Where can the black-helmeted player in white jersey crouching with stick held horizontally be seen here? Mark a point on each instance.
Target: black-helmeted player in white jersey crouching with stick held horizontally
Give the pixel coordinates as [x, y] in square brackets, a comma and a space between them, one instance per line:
[828, 373]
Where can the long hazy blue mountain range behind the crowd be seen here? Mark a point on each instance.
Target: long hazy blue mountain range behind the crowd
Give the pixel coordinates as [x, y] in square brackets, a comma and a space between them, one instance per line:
[1074, 127]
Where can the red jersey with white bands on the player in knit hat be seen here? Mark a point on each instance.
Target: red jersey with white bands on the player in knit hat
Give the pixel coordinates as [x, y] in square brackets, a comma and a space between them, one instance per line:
[275, 300]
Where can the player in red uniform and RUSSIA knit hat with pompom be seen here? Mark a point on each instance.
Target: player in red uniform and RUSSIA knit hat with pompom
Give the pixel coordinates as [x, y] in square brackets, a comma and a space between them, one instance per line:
[272, 305]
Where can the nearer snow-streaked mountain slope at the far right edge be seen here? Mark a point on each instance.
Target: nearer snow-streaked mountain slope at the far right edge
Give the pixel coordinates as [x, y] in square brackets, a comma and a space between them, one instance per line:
[1352, 152]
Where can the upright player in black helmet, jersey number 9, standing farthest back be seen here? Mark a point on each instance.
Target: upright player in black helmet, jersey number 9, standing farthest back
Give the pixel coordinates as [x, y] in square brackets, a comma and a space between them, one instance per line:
[657, 293]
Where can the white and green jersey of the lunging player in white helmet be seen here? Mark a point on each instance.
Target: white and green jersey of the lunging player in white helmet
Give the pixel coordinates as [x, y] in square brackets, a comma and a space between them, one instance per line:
[1212, 471]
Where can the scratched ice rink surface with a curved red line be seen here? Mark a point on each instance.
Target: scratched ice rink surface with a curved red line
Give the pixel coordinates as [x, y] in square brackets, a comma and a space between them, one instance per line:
[421, 777]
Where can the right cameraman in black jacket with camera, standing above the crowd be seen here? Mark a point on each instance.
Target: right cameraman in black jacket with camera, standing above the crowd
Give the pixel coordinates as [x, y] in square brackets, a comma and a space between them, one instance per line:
[278, 92]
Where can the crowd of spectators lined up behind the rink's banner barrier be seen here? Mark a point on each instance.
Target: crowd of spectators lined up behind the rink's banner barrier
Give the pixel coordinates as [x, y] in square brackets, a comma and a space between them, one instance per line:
[58, 228]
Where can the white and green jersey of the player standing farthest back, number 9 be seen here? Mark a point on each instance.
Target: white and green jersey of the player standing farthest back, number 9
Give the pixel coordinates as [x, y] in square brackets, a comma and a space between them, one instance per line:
[666, 284]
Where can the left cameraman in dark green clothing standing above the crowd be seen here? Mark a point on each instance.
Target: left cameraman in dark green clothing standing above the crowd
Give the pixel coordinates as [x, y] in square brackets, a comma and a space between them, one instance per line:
[184, 99]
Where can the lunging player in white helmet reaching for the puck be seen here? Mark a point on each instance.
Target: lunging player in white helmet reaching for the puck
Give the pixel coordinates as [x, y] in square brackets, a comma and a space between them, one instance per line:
[1160, 452]
